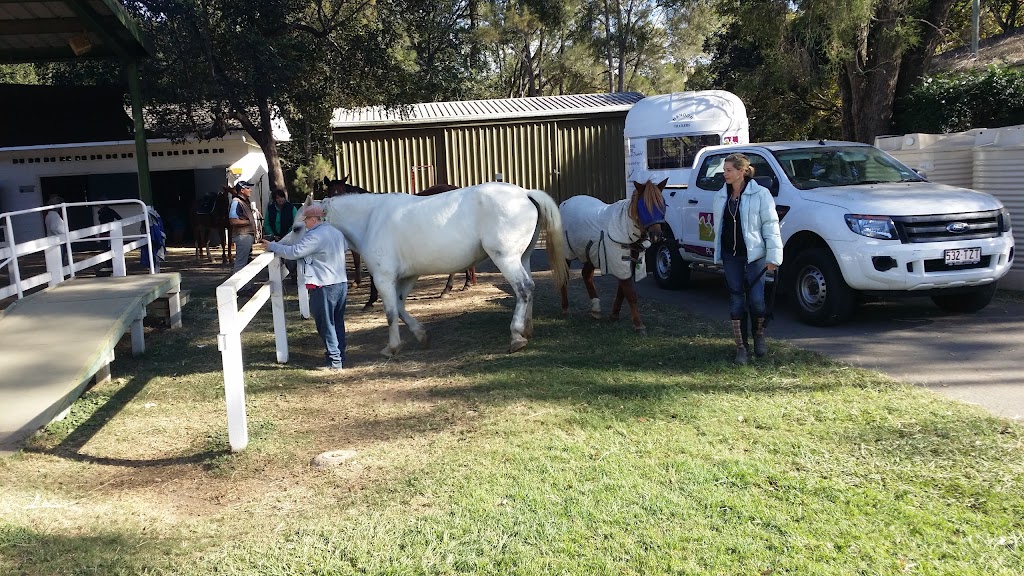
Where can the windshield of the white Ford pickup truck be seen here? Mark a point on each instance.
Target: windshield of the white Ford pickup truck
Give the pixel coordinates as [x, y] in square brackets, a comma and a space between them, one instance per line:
[824, 166]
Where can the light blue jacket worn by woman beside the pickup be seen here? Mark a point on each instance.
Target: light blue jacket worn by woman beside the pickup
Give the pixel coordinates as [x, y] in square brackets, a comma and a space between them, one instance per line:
[758, 220]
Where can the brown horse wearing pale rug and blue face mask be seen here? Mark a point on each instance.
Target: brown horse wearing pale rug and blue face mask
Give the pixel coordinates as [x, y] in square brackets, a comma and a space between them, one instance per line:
[613, 238]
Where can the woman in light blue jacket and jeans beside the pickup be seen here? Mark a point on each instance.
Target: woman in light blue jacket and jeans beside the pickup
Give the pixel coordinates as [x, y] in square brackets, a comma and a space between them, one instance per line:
[748, 243]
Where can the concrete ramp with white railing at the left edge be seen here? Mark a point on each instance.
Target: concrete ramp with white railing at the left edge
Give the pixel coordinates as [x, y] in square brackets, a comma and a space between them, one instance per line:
[55, 342]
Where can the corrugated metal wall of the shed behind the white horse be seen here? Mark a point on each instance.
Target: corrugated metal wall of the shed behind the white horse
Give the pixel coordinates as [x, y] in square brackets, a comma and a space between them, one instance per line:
[565, 158]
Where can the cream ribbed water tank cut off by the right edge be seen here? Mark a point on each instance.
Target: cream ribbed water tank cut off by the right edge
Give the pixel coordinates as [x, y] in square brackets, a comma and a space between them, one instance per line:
[999, 170]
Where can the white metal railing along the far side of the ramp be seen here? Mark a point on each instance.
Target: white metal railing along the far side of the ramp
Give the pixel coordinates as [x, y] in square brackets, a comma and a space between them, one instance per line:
[120, 243]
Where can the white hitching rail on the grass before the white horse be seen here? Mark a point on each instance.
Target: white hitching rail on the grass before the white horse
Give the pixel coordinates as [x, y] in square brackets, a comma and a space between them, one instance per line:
[234, 321]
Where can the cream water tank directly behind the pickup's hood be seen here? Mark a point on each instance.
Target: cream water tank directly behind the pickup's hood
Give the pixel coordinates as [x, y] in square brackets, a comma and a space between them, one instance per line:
[946, 159]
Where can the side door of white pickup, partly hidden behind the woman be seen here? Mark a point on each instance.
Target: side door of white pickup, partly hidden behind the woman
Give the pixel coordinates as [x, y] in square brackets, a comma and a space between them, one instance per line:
[699, 235]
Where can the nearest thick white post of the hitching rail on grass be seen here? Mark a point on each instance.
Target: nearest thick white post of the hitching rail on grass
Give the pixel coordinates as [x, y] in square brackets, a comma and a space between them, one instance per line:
[230, 343]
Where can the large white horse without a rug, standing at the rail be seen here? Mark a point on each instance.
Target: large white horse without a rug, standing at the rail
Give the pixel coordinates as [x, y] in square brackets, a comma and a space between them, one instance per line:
[403, 237]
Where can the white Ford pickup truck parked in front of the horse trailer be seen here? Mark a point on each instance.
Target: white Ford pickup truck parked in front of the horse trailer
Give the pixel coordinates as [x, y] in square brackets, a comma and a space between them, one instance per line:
[856, 223]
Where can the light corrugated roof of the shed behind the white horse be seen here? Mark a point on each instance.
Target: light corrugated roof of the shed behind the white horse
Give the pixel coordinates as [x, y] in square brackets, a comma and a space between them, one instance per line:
[500, 109]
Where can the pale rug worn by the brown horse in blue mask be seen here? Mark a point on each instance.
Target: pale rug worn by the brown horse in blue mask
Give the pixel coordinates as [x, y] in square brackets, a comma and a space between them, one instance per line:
[603, 234]
